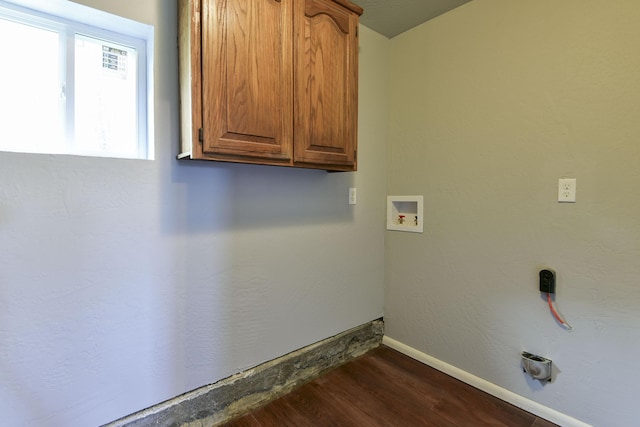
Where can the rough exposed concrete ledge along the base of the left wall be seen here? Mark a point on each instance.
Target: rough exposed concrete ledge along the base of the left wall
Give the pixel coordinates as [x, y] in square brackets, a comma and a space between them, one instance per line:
[245, 391]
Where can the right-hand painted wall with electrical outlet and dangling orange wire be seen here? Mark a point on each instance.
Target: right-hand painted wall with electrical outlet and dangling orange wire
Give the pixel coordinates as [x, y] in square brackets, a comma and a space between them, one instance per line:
[490, 105]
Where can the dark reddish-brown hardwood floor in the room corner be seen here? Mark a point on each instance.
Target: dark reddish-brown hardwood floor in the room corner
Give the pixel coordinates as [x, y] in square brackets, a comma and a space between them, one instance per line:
[387, 388]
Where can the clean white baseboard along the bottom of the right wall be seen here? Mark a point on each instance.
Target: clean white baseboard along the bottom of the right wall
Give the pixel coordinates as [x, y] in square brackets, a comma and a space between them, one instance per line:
[490, 388]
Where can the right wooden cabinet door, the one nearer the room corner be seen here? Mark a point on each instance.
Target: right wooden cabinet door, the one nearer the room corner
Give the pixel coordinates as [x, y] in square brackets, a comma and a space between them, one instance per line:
[326, 78]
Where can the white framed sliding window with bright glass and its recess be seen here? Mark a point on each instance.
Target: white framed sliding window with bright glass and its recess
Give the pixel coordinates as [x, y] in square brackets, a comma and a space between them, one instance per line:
[74, 80]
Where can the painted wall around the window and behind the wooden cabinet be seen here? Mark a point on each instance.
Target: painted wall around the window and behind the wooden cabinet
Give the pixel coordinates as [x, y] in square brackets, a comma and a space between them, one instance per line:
[124, 283]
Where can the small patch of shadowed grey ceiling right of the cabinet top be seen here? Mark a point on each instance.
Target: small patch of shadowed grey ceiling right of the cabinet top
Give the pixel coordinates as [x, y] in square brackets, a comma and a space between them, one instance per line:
[392, 17]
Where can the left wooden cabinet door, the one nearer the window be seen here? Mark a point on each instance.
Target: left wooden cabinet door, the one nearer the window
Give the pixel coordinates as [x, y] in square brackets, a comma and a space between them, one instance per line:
[247, 80]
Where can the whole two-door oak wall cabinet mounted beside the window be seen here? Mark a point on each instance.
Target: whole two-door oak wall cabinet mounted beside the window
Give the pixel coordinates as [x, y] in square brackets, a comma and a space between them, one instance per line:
[270, 82]
